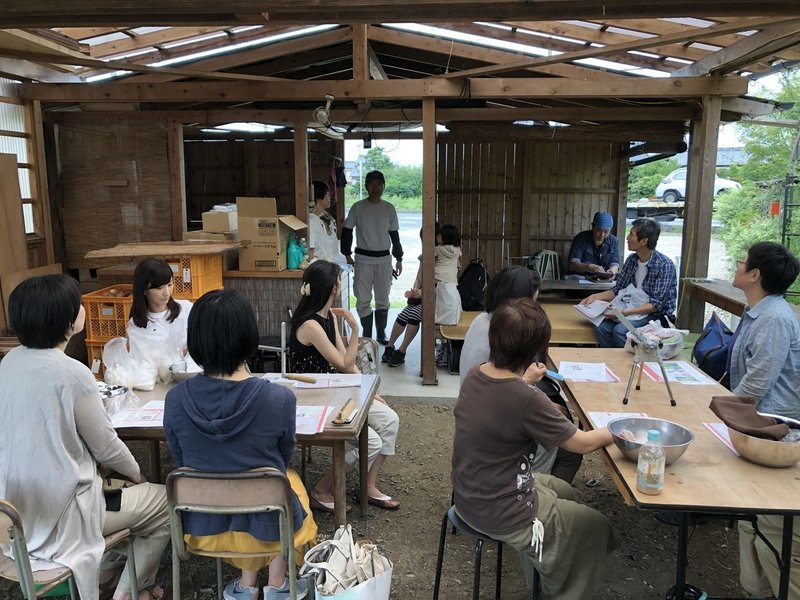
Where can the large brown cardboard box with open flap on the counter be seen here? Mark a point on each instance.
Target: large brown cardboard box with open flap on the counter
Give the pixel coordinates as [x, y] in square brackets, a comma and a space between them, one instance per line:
[264, 234]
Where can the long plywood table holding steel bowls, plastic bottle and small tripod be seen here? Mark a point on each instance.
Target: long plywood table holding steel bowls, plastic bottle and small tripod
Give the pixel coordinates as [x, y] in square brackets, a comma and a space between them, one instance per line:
[707, 478]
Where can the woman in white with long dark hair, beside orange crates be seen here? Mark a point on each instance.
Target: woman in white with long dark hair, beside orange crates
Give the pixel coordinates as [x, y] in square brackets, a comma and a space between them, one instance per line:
[157, 327]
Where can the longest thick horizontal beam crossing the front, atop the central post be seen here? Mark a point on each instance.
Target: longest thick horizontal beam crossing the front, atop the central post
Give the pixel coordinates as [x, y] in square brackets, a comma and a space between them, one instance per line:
[246, 91]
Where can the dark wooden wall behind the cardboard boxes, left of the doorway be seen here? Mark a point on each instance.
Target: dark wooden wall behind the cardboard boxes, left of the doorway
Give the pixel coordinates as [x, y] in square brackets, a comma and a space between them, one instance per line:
[218, 171]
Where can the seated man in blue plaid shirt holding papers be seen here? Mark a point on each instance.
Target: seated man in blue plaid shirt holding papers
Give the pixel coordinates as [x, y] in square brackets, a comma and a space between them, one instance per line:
[652, 273]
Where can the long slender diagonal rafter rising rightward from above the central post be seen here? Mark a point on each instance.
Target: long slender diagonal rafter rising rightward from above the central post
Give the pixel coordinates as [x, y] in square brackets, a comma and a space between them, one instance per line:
[636, 44]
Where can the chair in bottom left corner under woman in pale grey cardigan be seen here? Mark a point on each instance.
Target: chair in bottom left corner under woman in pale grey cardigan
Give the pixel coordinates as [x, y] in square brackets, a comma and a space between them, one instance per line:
[19, 568]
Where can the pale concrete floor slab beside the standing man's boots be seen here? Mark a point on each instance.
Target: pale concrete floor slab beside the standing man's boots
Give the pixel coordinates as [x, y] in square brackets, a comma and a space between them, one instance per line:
[404, 383]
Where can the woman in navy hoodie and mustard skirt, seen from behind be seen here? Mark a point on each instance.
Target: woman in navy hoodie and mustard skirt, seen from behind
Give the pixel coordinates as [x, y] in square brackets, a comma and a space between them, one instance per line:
[226, 420]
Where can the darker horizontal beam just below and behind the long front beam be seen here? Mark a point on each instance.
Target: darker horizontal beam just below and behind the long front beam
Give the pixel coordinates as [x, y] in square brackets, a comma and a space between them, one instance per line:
[210, 118]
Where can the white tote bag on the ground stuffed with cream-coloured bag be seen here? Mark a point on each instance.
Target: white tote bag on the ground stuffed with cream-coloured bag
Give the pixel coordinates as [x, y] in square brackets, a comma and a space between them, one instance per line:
[346, 569]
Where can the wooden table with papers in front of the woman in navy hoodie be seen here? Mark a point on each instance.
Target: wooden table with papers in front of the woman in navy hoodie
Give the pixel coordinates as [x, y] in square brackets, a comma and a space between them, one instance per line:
[335, 436]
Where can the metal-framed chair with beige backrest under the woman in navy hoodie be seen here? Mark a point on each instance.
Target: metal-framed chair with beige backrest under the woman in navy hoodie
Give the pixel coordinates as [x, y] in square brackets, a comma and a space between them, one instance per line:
[254, 491]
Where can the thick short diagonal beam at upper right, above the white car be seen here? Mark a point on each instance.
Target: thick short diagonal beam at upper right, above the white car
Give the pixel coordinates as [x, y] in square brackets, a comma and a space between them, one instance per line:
[766, 42]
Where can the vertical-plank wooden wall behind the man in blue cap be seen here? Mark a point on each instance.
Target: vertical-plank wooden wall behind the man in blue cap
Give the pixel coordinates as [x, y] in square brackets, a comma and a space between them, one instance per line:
[512, 198]
